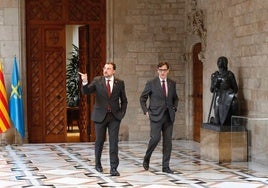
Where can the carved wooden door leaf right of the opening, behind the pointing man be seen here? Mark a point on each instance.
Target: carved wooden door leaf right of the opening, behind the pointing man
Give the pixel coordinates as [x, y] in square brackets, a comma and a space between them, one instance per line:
[91, 61]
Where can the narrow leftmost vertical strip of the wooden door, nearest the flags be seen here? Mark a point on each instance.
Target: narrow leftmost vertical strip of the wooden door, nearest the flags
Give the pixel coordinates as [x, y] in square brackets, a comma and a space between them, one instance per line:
[34, 86]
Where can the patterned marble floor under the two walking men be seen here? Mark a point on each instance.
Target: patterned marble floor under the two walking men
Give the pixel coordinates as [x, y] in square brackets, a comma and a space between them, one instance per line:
[72, 165]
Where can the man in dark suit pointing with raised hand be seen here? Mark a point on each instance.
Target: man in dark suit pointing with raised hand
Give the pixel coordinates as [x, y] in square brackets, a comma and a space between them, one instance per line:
[109, 109]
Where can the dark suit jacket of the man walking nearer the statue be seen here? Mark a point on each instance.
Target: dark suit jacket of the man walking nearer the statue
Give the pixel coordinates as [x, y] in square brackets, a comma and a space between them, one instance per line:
[158, 103]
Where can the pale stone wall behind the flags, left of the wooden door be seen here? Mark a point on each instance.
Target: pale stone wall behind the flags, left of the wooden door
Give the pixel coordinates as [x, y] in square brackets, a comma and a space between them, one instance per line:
[11, 37]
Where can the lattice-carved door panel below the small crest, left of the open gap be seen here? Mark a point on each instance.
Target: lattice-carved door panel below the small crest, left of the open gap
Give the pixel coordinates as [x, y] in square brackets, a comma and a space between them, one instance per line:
[55, 96]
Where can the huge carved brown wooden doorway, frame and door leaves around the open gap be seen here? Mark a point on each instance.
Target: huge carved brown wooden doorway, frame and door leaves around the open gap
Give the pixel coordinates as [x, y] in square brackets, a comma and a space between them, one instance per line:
[46, 22]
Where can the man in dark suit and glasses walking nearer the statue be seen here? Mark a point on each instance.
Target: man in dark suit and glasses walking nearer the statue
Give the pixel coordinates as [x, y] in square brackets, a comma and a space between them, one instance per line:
[163, 102]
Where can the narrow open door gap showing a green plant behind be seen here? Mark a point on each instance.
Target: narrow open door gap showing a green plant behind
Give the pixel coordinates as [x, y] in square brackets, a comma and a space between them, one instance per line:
[72, 83]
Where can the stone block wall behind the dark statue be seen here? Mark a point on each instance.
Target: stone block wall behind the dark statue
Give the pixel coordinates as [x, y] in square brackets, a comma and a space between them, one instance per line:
[238, 30]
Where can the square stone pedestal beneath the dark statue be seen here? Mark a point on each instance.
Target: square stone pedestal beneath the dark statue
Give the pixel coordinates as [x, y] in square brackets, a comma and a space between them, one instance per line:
[223, 143]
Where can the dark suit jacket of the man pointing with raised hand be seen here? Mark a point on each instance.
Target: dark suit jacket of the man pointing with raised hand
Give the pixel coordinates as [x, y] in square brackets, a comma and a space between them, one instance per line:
[117, 101]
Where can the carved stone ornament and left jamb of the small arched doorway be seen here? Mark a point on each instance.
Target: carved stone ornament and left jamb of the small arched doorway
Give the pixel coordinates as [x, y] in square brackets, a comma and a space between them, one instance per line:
[196, 33]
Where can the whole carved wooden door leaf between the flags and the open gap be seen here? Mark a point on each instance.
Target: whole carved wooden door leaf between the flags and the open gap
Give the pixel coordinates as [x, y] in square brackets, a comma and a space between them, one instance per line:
[46, 74]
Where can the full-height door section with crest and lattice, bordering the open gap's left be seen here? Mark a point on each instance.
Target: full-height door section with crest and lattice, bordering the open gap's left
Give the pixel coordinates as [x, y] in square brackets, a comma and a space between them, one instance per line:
[55, 84]
